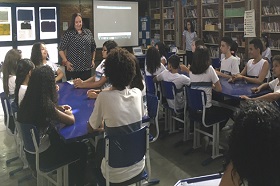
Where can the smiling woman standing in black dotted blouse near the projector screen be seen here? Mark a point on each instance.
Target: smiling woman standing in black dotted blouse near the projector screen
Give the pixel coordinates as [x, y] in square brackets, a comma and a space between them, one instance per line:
[77, 50]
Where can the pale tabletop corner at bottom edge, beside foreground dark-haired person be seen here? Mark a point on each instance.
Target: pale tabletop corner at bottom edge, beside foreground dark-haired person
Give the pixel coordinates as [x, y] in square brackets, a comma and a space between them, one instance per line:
[208, 180]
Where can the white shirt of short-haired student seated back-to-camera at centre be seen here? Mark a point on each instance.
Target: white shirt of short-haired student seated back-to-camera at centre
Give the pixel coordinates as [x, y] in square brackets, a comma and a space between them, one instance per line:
[179, 80]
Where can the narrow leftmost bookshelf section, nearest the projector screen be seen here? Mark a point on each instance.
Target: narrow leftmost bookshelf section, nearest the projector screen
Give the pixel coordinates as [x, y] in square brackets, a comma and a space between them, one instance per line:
[155, 14]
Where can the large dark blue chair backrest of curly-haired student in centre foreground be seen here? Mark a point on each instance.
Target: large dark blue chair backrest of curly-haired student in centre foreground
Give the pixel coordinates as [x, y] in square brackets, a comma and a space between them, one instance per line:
[128, 149]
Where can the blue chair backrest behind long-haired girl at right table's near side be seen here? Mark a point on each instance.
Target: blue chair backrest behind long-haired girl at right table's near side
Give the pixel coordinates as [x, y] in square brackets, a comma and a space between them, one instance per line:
[196, 99]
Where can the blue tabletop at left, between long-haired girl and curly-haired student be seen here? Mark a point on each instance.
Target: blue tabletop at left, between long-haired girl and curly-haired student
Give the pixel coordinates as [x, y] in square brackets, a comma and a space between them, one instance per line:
[82, 108]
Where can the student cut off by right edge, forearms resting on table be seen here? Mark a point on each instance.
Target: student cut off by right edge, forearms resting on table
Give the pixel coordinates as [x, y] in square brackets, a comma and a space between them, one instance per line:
[273, 85]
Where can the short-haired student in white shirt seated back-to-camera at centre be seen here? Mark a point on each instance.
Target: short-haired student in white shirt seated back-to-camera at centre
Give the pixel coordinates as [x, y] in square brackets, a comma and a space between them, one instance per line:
[172, 75]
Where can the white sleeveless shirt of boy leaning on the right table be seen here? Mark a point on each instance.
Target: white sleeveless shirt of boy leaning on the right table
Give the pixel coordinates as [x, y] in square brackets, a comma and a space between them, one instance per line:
[255, 69]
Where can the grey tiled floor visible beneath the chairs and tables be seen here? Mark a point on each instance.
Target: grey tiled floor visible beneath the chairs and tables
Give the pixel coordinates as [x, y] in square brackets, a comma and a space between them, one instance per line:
[169, 164]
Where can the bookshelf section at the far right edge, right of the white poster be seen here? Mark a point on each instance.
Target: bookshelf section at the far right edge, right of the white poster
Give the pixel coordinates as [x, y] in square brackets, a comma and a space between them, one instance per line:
[270, 24]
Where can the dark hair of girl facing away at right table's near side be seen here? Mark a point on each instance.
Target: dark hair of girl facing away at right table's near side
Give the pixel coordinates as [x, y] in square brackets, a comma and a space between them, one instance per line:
[201, 60]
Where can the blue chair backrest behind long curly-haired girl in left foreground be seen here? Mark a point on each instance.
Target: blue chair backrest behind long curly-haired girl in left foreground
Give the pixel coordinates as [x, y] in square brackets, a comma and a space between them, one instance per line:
[25, 130]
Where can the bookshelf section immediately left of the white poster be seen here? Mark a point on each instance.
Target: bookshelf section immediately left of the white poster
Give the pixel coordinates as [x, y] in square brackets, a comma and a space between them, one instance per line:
[233, 24]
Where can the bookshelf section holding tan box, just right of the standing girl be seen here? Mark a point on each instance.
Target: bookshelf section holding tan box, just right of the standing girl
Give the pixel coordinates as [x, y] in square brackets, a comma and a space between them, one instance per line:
[210, 26]
